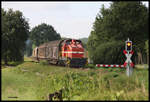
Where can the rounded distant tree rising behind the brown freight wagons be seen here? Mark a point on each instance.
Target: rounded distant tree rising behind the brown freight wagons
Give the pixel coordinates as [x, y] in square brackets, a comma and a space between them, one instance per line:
[43, 33]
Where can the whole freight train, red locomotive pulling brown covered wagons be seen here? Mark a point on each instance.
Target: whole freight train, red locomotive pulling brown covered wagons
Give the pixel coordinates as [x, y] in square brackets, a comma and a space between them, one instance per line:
[67, 52]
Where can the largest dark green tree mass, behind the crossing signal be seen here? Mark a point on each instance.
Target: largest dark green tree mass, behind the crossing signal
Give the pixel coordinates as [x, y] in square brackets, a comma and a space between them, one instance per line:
[113, 26]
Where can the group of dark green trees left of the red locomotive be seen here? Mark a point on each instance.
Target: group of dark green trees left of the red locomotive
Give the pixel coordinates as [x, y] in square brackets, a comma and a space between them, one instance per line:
[18, 39]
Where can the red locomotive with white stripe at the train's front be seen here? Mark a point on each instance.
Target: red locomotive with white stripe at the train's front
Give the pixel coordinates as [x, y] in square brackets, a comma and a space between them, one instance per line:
[73, 51]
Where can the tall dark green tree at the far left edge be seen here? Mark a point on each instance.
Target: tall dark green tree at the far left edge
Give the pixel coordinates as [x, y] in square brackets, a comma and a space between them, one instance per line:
[15, 30]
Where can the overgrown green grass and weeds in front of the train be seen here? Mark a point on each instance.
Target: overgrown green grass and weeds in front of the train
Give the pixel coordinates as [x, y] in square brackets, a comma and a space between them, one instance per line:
[34, 81]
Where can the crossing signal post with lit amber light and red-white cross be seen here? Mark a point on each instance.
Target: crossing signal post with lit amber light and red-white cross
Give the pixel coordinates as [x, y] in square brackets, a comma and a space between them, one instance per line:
[128, 52]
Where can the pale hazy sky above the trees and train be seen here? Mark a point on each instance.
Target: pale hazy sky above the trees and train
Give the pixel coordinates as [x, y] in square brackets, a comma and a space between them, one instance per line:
[69, 19]
